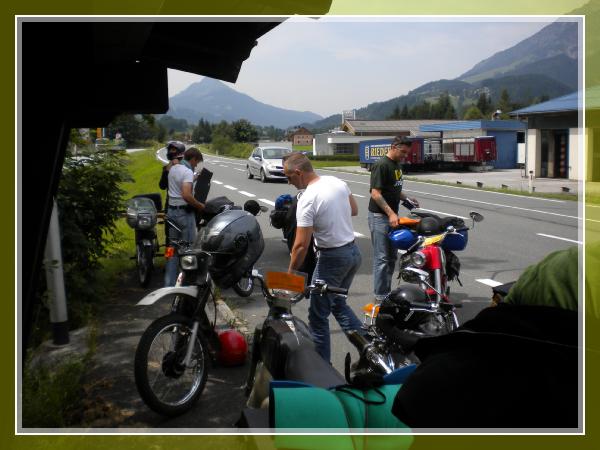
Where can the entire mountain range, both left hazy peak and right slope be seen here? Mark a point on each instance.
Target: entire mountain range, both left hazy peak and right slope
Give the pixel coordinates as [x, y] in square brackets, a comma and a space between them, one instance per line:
[544, 64]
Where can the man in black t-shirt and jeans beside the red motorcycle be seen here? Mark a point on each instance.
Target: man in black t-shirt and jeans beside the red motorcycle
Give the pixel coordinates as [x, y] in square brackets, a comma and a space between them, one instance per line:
[386, 195]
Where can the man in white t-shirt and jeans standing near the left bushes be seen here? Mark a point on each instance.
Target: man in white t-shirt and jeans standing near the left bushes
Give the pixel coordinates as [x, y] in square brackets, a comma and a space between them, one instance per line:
[181, 206]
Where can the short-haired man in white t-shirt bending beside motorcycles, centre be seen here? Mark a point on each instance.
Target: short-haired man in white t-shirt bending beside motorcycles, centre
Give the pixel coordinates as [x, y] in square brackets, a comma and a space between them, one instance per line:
[325, 211]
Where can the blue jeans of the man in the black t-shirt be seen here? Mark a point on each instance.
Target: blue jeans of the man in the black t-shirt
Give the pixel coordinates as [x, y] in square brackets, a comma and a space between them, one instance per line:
[384, 255]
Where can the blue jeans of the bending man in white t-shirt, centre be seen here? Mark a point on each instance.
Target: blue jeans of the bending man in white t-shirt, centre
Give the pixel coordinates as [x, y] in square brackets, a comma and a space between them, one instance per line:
[337, 268]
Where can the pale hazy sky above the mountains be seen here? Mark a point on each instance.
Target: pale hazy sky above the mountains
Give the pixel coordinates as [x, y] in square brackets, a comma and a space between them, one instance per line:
[328, 65]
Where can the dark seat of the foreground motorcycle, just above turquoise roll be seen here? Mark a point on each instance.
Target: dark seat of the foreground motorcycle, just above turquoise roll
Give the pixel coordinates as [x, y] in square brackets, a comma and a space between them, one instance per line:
[307, 366]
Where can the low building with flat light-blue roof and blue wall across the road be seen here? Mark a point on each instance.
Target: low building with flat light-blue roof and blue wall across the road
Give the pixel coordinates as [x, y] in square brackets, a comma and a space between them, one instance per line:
[507, 133]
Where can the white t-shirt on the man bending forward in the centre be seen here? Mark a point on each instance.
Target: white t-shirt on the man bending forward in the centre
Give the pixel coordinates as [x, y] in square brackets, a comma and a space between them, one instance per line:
[325, 206]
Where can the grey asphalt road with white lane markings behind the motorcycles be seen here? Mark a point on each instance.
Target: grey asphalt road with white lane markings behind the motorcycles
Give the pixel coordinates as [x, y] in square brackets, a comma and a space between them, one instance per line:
[517, 231]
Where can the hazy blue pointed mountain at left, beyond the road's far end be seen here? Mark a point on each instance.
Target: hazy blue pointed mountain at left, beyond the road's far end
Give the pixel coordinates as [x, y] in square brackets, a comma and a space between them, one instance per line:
[214, 101]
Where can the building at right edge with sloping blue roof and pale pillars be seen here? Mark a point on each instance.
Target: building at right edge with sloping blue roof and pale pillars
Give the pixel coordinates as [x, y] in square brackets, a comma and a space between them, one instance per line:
[554, 137]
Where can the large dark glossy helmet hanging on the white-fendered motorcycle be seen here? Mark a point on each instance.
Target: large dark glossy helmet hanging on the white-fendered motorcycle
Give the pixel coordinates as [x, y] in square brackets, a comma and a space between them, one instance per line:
[235, 241]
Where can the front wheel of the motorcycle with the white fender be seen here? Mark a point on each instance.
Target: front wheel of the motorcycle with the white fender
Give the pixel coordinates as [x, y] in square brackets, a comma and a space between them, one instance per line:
[158, 368]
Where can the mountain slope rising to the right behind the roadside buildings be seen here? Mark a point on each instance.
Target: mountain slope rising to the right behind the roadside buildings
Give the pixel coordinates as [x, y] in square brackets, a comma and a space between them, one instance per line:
[543, 64]
